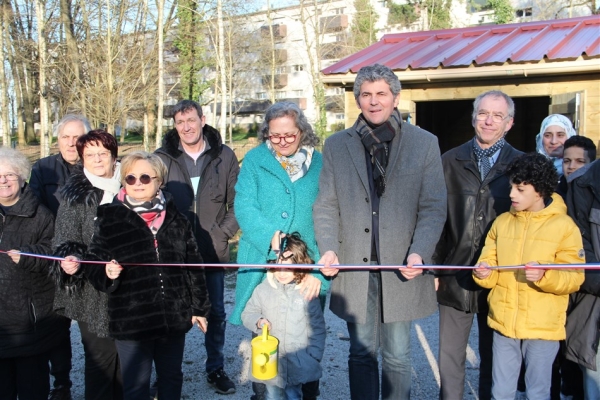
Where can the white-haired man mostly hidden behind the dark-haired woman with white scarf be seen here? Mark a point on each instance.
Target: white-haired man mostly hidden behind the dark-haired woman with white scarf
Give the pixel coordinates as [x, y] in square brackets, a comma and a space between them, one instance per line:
[48, 175]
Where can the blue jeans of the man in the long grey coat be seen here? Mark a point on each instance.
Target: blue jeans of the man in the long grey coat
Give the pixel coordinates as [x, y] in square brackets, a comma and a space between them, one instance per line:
[365, 341]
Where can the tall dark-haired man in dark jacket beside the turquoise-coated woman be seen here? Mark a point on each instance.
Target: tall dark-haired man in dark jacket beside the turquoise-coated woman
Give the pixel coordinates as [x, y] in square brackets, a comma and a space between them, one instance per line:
[202, 173]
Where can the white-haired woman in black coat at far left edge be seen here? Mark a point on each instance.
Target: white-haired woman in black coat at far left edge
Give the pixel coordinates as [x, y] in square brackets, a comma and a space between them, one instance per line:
[28, 325]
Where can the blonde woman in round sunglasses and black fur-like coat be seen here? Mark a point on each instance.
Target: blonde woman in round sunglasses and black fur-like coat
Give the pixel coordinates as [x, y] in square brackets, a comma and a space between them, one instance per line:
[150, 307]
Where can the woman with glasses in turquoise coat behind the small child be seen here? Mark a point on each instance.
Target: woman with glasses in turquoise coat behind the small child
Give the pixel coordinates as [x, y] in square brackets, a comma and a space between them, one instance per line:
[276, 188]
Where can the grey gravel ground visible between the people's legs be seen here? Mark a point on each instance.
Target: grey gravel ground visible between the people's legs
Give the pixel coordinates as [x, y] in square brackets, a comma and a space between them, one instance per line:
[334, 383]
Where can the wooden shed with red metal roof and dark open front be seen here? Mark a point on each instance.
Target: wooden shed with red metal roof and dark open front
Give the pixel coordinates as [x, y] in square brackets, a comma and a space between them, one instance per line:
[547, 67]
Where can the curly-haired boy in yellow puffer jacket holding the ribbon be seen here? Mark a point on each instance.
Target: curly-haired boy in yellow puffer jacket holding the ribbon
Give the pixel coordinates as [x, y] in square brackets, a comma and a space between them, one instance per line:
[528, 306]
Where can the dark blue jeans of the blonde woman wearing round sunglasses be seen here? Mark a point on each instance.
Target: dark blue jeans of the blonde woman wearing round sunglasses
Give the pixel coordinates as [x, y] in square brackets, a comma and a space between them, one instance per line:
[136, 366]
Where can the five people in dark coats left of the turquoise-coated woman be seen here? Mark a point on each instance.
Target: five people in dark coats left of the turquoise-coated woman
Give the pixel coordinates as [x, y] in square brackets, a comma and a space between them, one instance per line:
[106, 220]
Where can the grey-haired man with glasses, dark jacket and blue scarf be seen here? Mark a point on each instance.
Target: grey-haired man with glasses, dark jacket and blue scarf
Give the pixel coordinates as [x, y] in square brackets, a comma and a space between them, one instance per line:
[478, 191]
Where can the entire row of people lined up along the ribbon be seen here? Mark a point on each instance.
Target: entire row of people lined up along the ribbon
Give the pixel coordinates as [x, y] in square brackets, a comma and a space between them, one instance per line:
[380, 195]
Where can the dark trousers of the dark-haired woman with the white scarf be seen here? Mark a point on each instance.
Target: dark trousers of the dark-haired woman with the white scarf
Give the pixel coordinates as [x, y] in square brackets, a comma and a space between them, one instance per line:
[102, 369]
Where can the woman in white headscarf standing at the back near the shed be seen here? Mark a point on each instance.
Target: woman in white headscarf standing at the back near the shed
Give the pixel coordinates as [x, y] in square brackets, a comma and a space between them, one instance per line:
[555, 130]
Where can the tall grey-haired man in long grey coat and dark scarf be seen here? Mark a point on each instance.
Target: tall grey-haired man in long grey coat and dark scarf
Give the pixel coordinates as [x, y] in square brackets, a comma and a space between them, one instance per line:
[382, 201]
